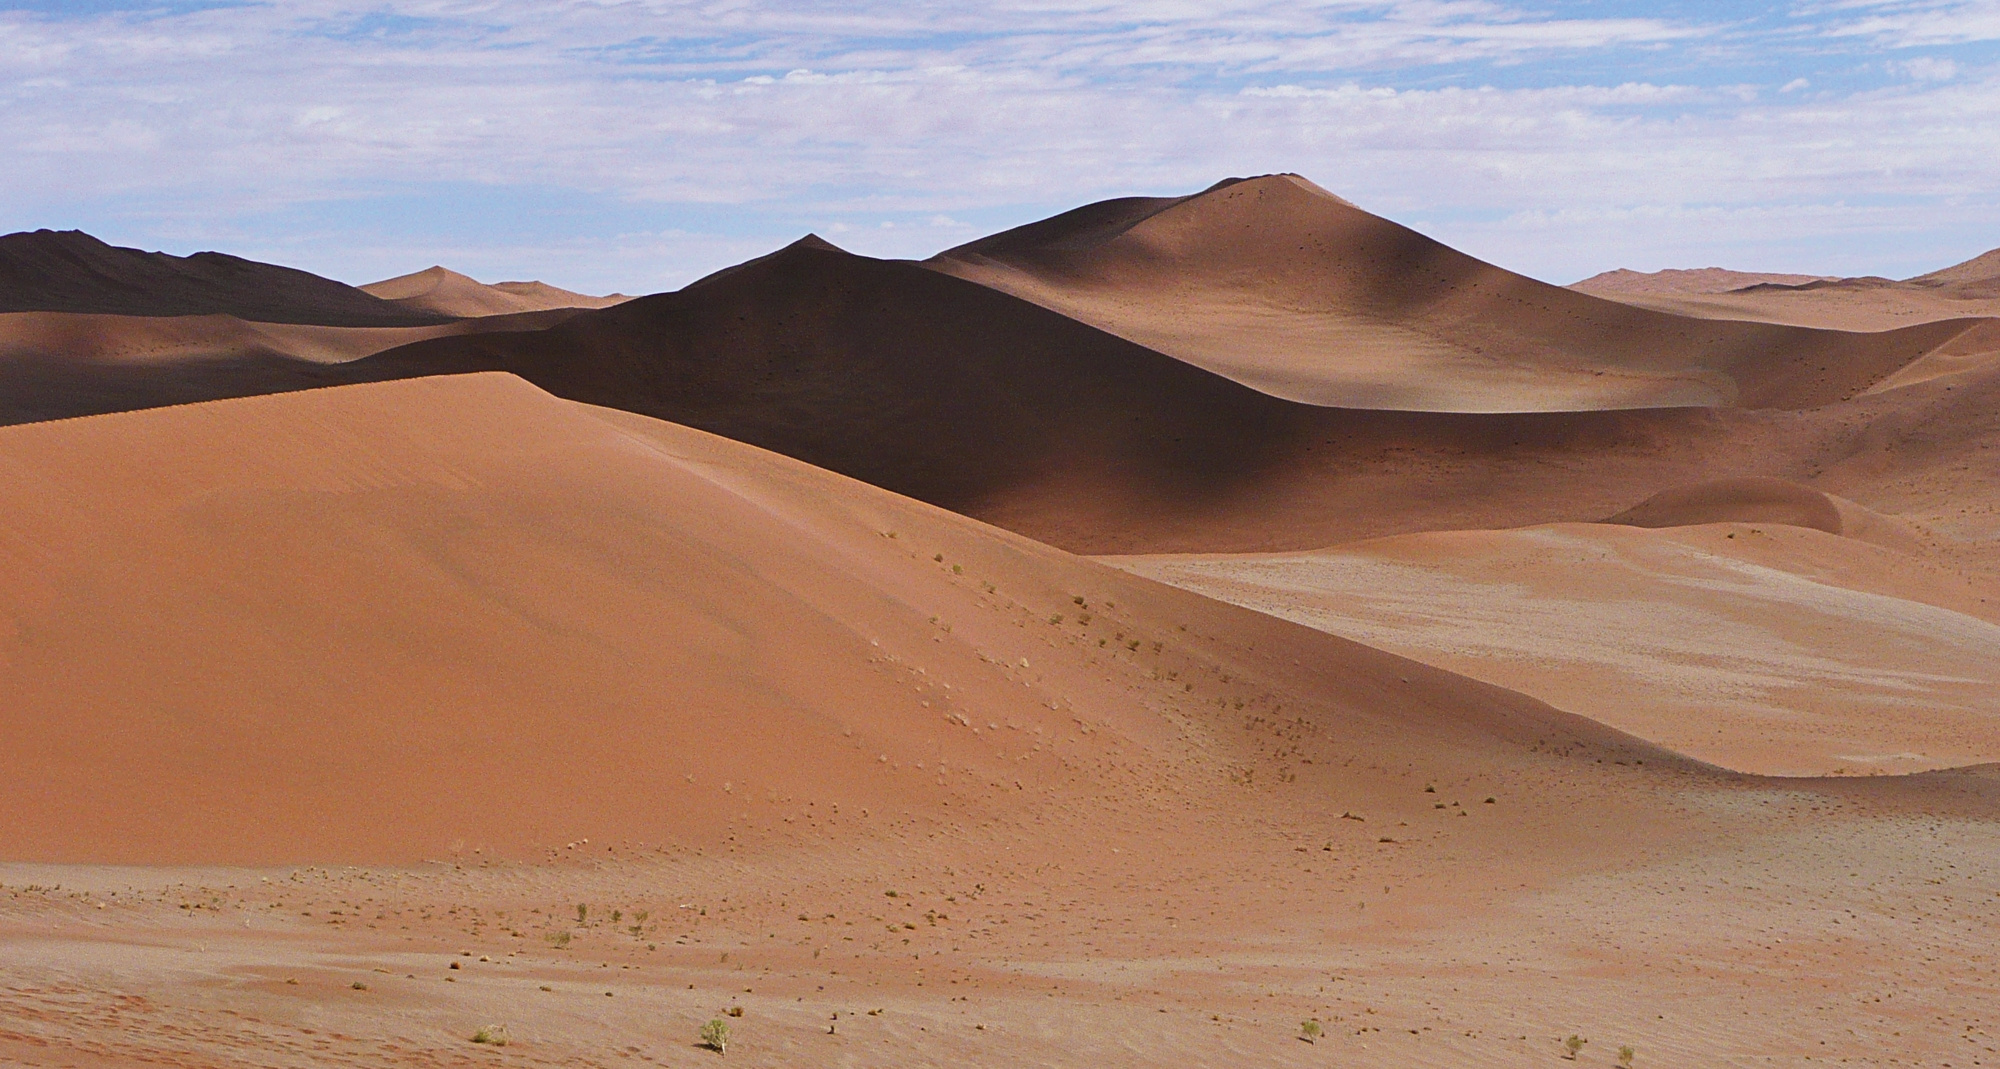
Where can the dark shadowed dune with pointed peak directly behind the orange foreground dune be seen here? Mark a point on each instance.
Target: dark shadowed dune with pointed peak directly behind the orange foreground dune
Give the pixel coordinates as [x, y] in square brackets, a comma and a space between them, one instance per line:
[995, 407]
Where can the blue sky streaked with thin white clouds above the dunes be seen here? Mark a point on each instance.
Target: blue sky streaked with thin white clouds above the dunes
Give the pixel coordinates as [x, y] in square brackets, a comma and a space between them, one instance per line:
[635, 145]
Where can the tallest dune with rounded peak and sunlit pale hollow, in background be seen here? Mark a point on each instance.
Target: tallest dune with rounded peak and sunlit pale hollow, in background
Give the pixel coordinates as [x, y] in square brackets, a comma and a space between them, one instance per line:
[1285, 287]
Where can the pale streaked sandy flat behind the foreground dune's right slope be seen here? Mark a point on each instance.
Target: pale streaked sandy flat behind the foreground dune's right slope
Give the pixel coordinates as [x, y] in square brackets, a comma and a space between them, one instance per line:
[1755, 646]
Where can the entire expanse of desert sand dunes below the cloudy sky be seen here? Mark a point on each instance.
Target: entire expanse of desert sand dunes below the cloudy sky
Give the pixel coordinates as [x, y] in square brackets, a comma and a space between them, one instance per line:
[1475, 664]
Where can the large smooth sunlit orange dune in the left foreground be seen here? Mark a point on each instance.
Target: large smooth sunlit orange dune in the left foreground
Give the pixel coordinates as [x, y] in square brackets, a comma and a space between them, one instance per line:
[461, 612]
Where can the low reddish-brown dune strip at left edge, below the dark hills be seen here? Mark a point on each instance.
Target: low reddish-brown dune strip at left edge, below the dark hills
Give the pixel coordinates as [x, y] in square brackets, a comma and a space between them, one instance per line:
[63, 365]
